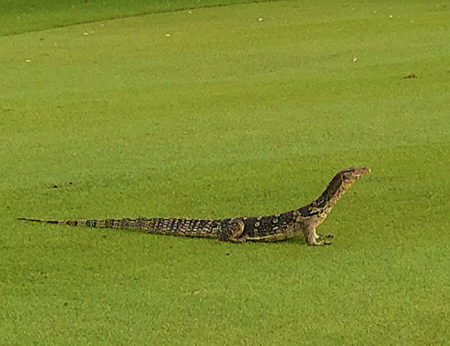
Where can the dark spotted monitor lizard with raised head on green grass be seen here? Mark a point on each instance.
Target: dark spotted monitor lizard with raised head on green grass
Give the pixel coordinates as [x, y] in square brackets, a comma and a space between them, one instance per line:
[302, 221]
